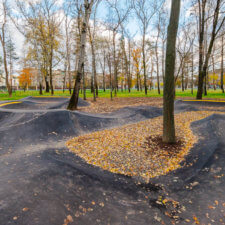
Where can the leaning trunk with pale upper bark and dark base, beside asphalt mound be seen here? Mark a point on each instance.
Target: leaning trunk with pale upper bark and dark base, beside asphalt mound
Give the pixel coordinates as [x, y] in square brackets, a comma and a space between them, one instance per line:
[75, 96]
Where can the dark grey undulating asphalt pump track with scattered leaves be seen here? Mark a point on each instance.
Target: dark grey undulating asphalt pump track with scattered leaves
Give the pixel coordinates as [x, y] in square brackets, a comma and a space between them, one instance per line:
[41, 182]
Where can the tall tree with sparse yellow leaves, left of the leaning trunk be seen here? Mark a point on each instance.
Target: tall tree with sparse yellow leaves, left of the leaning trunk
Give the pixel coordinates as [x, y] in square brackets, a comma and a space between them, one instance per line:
[41, 27]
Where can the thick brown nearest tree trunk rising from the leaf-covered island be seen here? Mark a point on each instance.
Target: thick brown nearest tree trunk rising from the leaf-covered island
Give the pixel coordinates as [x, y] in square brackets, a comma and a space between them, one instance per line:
[168, 97]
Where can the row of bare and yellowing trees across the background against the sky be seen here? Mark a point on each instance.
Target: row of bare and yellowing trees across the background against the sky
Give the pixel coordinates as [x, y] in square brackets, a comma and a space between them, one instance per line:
[53, 32]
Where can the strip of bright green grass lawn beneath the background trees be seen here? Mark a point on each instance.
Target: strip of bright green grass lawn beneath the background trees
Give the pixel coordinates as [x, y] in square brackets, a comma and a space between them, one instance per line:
[21, 94]
